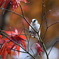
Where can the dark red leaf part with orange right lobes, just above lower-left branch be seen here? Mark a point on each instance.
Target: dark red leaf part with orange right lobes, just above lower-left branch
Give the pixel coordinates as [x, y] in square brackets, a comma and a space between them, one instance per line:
[20, 39]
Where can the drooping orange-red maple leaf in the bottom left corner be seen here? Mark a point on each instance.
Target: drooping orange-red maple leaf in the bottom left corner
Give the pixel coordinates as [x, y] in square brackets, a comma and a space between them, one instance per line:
[4, 50]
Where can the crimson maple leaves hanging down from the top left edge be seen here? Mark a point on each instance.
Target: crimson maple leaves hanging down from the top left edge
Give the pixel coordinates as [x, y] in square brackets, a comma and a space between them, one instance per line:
[14, 3]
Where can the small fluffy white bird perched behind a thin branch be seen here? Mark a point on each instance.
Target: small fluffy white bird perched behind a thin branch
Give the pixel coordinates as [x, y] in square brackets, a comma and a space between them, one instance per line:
[36, 26]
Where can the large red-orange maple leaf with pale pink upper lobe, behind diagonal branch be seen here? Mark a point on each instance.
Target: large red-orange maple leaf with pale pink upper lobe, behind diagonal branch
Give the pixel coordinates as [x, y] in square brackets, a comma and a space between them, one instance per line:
[16, 38]
